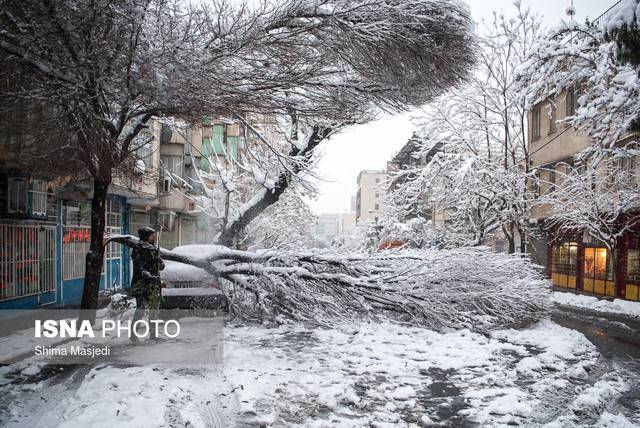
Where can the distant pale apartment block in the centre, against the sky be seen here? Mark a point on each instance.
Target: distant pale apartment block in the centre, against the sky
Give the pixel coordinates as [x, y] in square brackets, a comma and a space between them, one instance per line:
[370, 196]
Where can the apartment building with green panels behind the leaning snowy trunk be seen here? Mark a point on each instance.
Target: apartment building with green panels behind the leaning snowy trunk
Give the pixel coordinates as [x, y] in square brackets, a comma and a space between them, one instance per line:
[190, 157]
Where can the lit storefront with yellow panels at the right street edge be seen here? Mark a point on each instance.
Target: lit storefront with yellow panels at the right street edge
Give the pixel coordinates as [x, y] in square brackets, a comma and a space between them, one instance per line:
[589, 268]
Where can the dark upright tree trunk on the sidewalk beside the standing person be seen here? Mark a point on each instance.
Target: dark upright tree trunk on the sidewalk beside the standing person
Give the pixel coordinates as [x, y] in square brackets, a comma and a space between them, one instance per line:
[94, 258]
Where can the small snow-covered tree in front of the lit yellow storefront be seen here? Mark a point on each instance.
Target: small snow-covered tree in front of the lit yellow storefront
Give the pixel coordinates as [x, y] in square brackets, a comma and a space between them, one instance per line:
[601, 201]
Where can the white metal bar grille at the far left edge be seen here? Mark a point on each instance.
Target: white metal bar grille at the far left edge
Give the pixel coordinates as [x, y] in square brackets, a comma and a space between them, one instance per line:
[27, 260]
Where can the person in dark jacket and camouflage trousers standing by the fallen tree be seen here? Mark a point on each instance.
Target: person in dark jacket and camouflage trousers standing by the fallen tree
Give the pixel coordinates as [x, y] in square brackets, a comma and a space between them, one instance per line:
[145, 282]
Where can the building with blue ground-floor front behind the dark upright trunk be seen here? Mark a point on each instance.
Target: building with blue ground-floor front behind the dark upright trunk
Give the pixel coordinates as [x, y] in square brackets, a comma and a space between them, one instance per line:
[45, 220]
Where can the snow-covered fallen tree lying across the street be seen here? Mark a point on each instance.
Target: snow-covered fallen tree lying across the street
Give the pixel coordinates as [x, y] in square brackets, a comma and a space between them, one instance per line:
[466, 288]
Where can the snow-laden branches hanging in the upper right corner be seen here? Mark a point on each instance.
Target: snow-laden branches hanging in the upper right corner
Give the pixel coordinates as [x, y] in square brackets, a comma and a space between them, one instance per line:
[598, 63]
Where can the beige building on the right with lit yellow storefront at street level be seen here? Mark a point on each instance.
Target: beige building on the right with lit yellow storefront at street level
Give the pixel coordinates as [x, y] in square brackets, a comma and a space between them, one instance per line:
[574, 261]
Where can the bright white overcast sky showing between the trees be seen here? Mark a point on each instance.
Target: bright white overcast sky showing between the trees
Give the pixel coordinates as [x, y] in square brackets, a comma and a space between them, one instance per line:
[370, 146]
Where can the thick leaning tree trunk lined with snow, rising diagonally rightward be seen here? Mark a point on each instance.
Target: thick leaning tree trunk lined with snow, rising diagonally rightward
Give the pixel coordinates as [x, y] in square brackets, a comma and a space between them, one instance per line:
[270, 196]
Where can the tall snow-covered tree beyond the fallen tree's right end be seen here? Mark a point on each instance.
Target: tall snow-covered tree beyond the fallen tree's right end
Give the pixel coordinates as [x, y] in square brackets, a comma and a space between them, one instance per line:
[478, 176]
